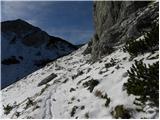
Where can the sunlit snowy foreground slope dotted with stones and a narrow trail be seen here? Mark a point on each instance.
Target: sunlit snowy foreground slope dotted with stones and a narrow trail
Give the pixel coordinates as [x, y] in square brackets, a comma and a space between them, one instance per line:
[67, 94]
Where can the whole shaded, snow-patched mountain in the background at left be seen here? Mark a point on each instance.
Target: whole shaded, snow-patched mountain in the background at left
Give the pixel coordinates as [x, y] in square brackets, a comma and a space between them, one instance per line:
[26, 48]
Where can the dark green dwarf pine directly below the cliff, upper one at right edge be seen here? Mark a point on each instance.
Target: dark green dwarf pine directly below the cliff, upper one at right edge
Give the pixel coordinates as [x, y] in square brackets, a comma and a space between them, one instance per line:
[150, 43]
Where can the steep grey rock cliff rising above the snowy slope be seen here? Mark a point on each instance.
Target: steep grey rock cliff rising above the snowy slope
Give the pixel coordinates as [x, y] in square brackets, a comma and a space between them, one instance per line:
[117, 21]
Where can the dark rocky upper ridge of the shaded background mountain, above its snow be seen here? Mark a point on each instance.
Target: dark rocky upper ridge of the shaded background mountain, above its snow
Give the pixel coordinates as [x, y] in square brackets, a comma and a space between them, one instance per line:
[30, 35]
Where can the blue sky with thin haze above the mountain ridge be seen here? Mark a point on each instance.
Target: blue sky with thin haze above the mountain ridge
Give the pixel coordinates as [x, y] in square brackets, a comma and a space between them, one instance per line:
[70, 20]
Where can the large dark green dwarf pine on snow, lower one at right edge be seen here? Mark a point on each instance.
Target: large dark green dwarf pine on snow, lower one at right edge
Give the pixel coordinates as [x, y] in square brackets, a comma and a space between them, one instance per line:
[143, 82]
